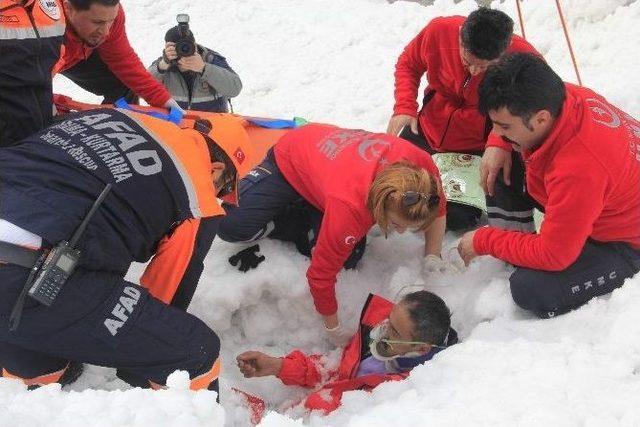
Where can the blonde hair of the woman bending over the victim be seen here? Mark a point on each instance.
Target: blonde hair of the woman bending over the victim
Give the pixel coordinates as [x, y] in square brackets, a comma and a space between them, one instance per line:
[385, 195]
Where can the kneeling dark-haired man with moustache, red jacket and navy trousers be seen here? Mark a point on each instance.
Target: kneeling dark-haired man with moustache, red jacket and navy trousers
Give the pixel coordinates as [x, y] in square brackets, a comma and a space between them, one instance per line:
[582, 168]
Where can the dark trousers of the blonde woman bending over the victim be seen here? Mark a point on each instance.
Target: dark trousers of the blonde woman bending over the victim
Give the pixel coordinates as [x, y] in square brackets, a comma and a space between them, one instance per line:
[271, 207]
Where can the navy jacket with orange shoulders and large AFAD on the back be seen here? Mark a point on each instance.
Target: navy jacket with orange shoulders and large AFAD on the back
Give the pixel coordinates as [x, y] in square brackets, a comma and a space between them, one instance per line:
[49, 181]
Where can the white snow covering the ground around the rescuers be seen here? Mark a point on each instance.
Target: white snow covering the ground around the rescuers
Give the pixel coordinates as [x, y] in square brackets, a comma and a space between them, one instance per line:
[332, 61]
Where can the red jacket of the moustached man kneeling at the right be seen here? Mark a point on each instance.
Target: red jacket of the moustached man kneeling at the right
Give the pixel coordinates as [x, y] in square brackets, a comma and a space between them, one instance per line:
[586, 174]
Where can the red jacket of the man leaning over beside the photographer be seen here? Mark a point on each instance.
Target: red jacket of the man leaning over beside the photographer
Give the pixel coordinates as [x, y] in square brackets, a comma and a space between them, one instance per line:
[121, 59]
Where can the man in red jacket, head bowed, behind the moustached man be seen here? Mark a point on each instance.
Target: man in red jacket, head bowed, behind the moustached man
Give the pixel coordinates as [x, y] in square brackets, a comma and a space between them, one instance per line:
[453, 53]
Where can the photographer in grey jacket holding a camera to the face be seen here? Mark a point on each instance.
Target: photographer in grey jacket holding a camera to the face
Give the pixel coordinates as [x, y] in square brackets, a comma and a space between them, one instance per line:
[197, 77]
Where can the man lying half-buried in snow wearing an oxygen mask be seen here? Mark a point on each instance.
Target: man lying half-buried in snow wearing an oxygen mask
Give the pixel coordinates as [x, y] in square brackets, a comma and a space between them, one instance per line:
[392, 340]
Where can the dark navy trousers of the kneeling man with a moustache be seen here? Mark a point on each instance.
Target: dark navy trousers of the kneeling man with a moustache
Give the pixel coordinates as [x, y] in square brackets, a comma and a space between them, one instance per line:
[600, 268]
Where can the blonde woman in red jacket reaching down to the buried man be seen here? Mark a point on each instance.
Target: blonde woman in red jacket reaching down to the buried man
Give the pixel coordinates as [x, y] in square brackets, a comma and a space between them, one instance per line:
[354, 179]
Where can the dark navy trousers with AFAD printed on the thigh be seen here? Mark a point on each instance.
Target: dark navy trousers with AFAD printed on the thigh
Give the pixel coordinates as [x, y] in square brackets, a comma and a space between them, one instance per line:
[101, 319]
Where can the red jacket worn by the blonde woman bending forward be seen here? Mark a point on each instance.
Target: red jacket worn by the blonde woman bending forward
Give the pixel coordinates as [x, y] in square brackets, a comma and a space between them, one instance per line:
[333, 169]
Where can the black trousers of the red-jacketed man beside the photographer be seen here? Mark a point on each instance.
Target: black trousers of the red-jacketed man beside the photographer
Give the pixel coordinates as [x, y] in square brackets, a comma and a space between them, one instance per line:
[94, 76]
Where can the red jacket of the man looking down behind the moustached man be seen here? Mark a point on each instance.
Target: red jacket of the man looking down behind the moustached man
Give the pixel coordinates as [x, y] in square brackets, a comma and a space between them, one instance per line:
[449, 119]
